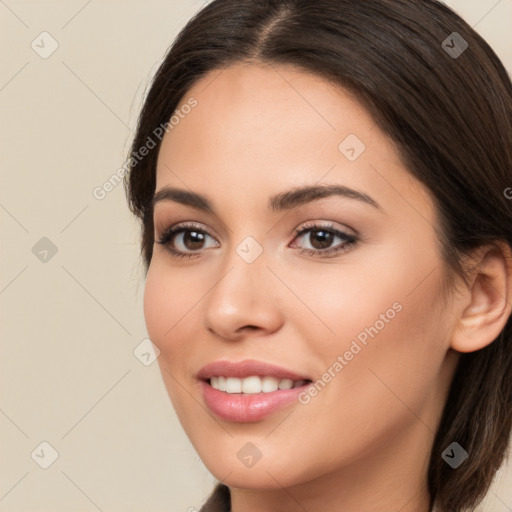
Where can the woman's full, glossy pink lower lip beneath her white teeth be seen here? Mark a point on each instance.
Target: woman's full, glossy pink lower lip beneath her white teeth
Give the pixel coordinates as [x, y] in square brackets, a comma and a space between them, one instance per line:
[245, 408]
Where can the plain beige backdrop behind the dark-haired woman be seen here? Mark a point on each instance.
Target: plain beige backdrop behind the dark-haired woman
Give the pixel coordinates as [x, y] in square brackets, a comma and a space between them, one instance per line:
[69, 325]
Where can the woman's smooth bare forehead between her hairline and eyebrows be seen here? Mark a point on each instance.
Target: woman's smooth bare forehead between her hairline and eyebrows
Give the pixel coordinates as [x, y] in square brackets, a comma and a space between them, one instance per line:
[258, 127]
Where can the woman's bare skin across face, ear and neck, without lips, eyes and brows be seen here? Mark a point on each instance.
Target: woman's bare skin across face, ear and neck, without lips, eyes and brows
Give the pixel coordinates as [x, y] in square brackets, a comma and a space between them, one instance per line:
[257, 131]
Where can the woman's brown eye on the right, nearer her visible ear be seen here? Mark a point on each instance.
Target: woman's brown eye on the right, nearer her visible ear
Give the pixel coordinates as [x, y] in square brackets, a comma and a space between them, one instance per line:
[321, 238]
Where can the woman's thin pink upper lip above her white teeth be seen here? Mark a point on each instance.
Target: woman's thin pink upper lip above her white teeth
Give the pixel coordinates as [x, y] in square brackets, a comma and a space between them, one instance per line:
[246, 368]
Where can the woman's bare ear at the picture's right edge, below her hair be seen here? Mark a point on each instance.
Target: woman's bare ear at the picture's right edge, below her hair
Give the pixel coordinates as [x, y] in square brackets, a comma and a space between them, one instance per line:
[486, 302]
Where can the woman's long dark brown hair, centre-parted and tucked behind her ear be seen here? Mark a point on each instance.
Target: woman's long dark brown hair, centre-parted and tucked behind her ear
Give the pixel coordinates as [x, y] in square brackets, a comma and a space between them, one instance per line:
[450, 118]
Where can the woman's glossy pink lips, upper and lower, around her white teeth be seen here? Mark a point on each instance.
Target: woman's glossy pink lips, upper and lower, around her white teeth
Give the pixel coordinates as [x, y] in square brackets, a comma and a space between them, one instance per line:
[250, 407]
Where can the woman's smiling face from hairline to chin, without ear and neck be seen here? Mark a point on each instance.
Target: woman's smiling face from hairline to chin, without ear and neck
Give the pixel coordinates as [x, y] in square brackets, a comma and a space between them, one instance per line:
[343, 290]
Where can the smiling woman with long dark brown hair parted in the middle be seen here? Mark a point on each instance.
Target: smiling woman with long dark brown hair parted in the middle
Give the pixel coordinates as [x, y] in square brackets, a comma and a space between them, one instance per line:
[327, 238]
